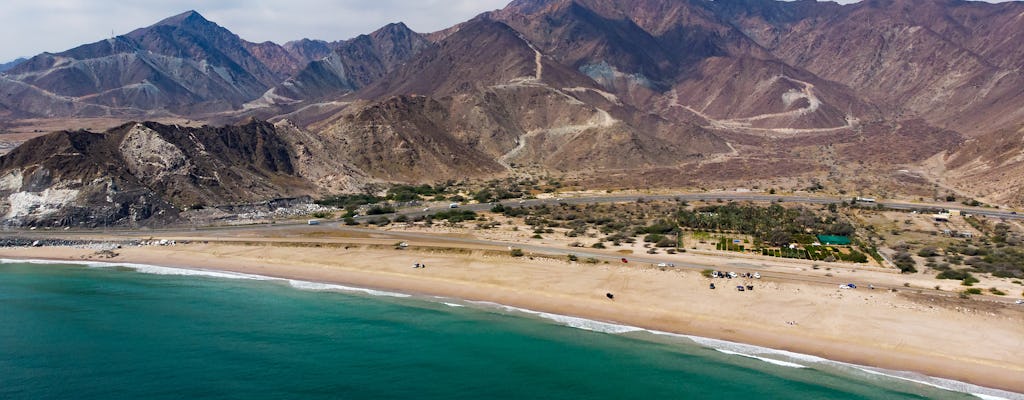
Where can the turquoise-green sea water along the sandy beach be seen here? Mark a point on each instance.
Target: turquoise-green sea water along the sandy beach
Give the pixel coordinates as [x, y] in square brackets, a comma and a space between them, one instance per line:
[79, 332]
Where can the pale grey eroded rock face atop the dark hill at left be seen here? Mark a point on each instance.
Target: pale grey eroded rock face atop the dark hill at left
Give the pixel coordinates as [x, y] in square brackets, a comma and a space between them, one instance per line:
[149, 157]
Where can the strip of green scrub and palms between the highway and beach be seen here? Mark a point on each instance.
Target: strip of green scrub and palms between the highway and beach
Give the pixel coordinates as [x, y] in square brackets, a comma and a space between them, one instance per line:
[967, 250]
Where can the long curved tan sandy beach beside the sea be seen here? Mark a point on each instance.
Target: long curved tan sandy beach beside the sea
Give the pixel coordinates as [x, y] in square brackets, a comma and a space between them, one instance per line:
[972, 341]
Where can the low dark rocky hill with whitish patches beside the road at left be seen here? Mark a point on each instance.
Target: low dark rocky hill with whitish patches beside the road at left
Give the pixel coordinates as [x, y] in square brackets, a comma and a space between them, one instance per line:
[144, 173]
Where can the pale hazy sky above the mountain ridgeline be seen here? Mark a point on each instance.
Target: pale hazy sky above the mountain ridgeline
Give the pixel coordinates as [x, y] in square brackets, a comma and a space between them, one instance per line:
[31, 27]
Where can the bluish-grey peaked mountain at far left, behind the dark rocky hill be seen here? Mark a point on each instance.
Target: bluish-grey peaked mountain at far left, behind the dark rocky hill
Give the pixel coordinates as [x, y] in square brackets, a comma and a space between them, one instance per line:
[185, 65]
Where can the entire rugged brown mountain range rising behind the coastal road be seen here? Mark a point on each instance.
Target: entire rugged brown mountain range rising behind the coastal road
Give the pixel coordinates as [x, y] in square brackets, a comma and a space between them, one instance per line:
[882, 97]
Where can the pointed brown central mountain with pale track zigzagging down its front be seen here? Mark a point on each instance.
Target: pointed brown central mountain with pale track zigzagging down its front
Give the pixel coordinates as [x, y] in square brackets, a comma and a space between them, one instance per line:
[521, 110]
